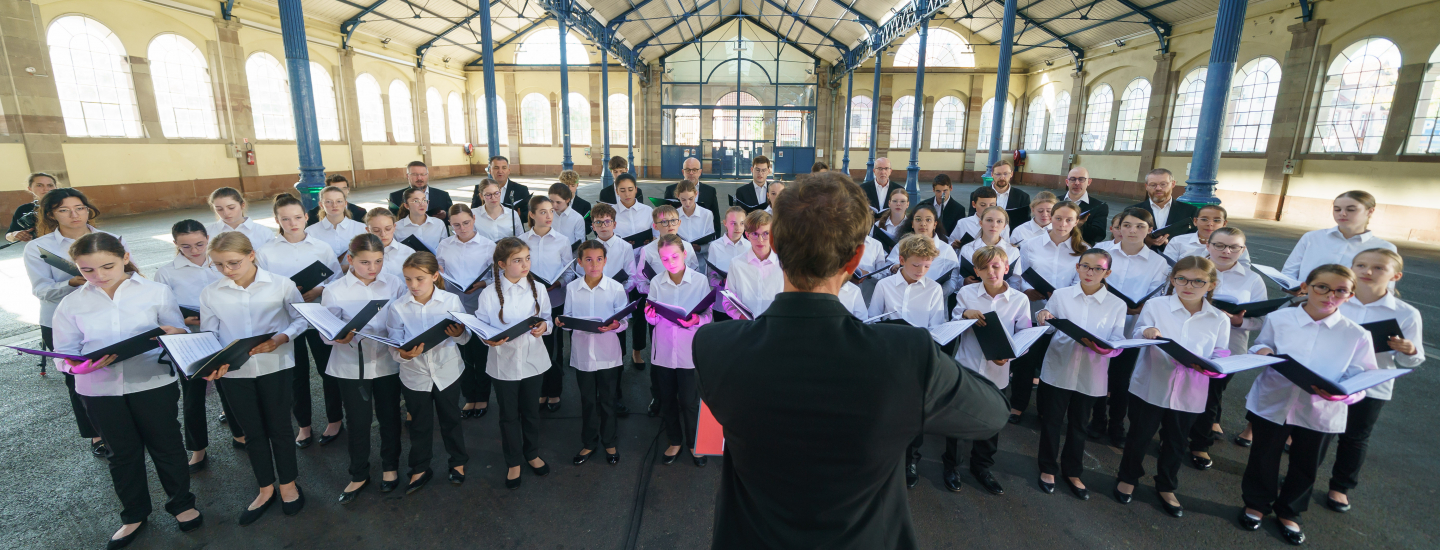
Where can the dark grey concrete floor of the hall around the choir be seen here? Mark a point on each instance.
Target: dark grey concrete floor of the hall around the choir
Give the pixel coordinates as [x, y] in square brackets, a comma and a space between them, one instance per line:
[60, 497]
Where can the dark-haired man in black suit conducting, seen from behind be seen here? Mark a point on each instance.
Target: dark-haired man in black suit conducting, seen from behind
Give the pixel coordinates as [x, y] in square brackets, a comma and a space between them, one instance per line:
[817, 405]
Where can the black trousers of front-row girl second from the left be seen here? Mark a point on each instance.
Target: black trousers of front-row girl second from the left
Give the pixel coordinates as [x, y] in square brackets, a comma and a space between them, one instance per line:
[263, 405]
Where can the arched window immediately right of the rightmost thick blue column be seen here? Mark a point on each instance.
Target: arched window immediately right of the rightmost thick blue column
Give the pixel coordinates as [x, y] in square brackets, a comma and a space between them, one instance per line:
[1252, 106]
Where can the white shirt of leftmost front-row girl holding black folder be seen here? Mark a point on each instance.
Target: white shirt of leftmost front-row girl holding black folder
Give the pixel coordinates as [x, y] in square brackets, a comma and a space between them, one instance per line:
[90, 320]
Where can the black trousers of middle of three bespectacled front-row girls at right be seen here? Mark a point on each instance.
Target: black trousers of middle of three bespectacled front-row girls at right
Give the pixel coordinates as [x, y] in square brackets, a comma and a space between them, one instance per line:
[1146, 421]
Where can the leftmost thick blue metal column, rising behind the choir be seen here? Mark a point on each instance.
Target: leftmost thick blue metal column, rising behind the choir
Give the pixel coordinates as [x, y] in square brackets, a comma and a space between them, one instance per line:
[303, 104]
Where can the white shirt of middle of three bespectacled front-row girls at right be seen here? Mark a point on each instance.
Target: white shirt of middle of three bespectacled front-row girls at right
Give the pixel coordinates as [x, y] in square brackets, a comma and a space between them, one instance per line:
[1158, 379]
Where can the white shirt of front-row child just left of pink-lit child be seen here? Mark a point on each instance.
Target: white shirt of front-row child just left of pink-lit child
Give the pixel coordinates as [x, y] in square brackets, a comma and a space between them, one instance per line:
[591, 352]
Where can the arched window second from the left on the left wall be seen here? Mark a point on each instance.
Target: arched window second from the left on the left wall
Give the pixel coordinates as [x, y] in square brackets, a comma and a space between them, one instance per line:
[184, 94]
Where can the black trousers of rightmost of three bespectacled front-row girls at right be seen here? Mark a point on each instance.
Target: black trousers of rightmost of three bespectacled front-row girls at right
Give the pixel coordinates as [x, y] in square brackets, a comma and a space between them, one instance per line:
[1261, 487]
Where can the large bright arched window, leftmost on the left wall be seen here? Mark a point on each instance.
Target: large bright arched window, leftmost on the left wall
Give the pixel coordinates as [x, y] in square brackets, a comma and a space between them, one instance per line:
[93, 78]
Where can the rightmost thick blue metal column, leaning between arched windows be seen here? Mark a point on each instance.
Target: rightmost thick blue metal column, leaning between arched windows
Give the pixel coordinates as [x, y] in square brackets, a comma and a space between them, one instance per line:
[1200, 186]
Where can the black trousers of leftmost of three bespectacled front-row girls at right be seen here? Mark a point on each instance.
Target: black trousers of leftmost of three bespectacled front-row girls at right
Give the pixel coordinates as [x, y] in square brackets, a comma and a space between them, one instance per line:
[1062, 410]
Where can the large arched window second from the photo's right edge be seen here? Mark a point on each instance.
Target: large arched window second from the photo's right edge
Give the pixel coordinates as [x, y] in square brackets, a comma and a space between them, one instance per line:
[1356, 103]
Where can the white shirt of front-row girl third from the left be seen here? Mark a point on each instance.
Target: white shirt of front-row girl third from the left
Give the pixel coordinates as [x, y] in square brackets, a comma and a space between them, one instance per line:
[345, 299]
